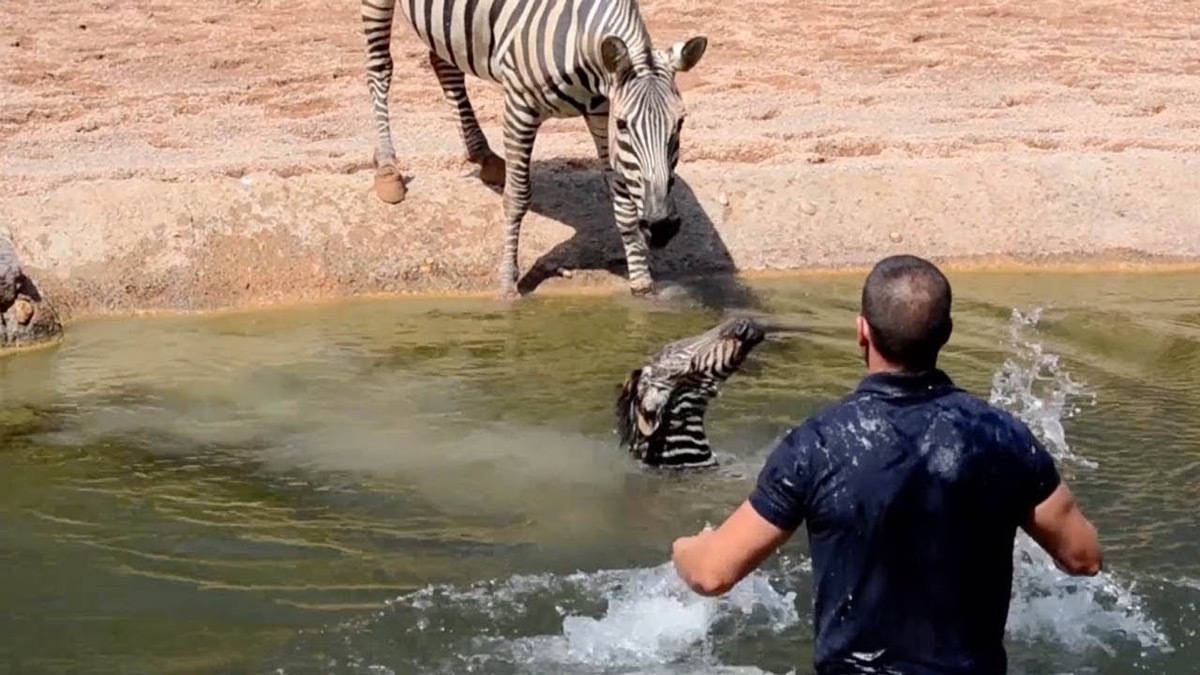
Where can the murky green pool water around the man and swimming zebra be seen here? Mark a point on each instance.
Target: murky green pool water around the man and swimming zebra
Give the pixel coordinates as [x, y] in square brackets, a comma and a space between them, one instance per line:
[434, 486]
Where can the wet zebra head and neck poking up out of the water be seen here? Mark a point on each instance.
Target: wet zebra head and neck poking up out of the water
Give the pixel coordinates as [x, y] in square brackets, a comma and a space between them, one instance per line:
[661, 409]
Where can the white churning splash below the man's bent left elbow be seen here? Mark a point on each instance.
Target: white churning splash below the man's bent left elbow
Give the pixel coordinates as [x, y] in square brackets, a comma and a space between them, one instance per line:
[641, 620]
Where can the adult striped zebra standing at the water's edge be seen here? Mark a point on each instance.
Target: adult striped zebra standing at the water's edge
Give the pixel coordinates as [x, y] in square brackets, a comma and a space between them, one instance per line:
[554, 59]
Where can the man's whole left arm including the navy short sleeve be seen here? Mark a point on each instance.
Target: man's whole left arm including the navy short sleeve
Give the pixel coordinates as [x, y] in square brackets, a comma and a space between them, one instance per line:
[713, 561]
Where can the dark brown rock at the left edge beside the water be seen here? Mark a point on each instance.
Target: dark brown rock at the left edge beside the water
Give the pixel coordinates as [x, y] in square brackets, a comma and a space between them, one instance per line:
[27, 318]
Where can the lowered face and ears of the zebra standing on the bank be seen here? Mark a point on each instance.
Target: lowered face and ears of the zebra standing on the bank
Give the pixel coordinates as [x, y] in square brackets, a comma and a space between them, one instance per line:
[646, 116]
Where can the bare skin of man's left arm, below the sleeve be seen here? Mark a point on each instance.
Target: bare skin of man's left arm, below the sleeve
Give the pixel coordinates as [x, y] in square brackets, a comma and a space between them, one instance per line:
[713, 561]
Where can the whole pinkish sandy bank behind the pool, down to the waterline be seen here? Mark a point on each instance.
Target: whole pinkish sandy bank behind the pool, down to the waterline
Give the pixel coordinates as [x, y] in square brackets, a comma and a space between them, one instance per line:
[217, 153]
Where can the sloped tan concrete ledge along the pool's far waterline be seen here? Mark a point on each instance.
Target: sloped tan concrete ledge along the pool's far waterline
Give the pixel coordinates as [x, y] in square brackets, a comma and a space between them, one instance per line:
[140, 244]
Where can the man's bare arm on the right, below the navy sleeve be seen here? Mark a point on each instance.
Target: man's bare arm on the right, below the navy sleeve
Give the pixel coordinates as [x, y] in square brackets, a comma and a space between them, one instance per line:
[1063, 530]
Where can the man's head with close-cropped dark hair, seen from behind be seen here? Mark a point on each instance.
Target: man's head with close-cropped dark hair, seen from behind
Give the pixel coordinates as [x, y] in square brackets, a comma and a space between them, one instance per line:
[905, 319]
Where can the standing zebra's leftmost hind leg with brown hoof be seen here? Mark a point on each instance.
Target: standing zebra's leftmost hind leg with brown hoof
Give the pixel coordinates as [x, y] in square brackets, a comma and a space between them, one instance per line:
[389, 183]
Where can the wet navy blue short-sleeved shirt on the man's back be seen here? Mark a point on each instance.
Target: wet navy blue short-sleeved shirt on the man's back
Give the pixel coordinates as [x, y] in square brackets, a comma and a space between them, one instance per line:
[913, 492]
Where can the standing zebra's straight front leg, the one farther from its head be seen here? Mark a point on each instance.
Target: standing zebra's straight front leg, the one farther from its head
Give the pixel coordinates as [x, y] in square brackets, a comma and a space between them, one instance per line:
[521, 126]
